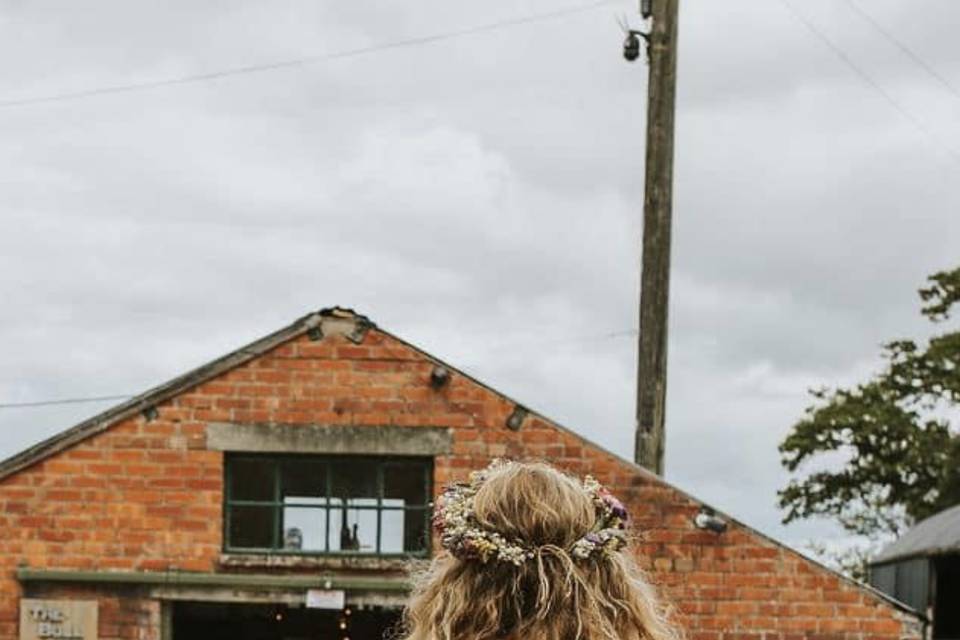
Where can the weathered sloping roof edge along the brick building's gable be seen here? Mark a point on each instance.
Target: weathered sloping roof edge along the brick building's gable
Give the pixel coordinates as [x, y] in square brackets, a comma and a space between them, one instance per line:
[358, 327]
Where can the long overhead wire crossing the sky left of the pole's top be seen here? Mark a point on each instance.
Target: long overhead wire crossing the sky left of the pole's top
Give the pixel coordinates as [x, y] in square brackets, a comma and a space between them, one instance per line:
[300, 62]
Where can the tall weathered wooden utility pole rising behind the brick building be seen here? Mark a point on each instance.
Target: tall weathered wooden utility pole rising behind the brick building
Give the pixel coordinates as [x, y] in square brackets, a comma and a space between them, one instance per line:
[657, 205]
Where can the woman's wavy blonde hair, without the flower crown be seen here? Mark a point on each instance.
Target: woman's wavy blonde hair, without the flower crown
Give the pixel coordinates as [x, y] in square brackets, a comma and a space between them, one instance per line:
[552, 596]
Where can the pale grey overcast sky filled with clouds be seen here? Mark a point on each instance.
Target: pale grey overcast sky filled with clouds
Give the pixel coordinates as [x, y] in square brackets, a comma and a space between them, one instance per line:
[481, 197]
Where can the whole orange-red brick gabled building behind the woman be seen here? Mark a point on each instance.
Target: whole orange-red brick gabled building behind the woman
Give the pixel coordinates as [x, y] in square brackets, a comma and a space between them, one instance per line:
[299, 469]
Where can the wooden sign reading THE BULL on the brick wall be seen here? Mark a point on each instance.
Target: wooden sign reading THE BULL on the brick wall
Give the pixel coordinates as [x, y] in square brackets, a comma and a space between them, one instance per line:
[58, 619]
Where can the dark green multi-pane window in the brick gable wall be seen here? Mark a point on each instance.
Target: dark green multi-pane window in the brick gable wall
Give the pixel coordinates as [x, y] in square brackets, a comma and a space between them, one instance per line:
[299, 504]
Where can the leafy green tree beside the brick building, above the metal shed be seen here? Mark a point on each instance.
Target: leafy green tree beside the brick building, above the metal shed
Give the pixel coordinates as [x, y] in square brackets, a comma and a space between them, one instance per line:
[879, 456]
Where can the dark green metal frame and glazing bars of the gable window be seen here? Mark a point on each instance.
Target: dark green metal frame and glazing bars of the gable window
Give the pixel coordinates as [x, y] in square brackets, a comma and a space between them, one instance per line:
[276, 505]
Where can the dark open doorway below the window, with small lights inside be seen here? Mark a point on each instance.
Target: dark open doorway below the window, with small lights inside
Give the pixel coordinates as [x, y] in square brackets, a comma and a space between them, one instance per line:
[209, 621]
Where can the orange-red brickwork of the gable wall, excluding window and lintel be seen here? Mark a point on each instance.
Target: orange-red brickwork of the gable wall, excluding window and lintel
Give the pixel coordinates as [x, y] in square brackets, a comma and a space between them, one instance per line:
[146, 496]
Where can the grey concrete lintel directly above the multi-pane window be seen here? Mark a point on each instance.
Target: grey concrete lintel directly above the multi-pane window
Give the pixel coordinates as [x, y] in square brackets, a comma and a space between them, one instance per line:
[373, 440]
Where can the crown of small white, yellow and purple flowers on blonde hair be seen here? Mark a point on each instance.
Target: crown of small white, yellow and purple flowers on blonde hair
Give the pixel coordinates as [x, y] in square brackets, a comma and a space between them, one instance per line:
[464, 537]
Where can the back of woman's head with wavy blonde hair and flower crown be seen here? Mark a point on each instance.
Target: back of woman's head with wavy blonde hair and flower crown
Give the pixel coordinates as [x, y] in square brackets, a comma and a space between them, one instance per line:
[533, 553]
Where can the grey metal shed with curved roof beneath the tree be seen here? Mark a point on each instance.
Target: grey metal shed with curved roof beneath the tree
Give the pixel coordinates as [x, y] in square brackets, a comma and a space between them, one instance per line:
[922, 569]
